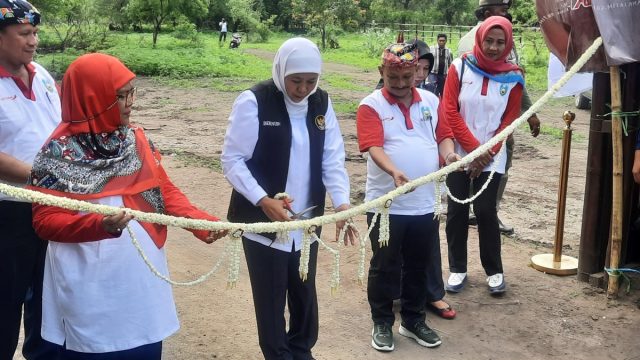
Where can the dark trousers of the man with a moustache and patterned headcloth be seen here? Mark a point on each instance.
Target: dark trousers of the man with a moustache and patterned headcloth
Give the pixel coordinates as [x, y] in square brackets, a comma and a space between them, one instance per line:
[413, 242]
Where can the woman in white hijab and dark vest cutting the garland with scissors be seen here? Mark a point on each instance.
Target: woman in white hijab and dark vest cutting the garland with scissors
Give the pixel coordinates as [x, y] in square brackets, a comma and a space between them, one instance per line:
[283, 136]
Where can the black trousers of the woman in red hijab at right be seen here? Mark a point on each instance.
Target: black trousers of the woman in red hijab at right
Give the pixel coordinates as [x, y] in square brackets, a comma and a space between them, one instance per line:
[457, 228]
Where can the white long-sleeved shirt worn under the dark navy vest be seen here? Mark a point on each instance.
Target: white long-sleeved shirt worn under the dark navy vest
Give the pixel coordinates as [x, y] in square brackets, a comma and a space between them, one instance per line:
[240, 142]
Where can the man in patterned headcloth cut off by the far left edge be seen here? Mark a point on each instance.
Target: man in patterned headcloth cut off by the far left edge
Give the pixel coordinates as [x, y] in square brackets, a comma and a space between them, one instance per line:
[29, 111]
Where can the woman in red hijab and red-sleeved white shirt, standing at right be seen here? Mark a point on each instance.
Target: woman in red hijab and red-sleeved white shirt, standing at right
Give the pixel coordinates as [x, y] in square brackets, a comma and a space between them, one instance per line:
[481, 97]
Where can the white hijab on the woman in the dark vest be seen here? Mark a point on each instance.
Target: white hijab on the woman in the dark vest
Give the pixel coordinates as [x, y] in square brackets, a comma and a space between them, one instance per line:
[295, 56]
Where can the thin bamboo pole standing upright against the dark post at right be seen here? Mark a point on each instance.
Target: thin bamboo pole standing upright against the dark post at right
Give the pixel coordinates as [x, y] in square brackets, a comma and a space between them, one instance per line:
[616, 203]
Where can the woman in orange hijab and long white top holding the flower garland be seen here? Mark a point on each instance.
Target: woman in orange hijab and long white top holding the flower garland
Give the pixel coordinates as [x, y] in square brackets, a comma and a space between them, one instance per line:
[100, 300]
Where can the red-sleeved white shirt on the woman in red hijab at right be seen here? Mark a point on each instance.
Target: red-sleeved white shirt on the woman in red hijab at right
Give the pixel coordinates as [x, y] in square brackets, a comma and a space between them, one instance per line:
[478, 110]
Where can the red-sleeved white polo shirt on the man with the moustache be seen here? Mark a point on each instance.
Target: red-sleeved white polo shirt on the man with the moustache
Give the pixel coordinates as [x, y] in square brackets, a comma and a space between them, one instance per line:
[409, 137]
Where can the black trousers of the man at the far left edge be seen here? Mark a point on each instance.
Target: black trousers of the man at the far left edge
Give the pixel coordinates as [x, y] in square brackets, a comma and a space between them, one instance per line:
[22, 256]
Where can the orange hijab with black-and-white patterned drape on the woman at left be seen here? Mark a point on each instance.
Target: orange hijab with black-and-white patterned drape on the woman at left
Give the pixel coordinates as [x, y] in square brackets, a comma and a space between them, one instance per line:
[91, 155]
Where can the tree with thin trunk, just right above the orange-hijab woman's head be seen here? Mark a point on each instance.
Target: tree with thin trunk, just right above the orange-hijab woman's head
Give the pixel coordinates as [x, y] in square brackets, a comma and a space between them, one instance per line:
[156, 12]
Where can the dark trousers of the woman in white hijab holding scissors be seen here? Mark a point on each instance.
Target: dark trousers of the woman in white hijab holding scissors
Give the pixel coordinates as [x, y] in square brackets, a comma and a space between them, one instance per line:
[275, 279]
